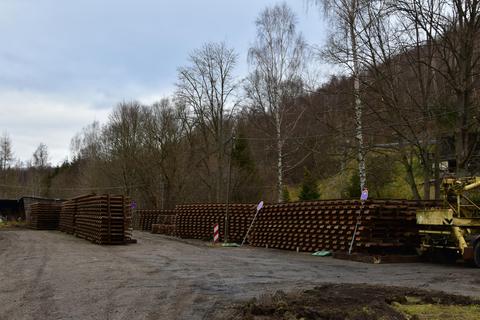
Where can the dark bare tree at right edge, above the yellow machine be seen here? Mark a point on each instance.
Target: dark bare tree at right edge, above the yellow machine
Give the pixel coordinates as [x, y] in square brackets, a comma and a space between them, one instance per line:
[452, 27]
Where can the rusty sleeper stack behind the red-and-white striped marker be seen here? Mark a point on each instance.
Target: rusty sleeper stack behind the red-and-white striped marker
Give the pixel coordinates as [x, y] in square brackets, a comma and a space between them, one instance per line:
[197, 220]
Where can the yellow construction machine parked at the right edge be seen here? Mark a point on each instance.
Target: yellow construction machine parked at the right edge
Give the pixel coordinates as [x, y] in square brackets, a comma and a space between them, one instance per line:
[453, 230]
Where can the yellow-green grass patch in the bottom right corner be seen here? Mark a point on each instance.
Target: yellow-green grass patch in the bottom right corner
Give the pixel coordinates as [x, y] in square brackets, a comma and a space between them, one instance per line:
[438, 311]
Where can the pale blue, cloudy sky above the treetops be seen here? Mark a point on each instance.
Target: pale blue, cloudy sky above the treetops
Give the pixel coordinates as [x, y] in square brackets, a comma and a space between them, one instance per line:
[64, 64]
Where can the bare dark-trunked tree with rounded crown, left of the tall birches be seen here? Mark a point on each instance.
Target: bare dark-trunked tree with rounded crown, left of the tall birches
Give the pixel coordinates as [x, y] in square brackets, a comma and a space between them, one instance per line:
[207, 87]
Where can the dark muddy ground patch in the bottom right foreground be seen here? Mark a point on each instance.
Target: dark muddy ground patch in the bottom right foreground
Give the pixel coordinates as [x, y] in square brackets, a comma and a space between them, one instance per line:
[353, 302]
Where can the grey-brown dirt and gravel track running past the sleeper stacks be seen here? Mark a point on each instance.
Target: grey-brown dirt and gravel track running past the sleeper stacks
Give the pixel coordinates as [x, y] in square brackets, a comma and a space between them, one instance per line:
[51, 275]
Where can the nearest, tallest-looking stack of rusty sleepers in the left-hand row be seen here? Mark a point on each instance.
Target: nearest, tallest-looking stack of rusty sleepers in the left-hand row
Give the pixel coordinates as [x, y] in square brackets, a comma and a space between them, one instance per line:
[103, 219]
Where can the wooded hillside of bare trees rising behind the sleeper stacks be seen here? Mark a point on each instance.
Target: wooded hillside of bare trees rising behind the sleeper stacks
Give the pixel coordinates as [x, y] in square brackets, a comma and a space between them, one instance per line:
[401, 113]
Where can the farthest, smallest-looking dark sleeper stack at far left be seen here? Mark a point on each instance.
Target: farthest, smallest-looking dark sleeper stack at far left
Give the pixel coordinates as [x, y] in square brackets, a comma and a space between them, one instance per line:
[44, 216]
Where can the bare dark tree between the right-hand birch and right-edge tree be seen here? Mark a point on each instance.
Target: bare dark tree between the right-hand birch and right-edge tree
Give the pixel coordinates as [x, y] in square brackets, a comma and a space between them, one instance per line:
[397, 87]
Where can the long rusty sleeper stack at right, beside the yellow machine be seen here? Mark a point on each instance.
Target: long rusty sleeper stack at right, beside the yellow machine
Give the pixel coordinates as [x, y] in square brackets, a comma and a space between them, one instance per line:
[383, 225]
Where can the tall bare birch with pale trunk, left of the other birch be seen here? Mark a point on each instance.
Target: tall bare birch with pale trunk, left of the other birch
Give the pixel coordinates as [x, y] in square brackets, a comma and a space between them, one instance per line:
[277, 57]
